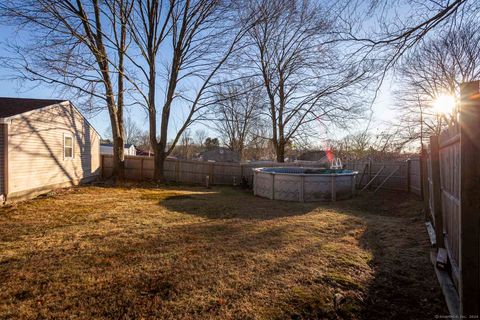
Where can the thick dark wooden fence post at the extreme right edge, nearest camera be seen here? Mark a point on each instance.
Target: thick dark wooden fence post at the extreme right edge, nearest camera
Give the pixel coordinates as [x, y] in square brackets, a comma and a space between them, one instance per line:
[469, 199]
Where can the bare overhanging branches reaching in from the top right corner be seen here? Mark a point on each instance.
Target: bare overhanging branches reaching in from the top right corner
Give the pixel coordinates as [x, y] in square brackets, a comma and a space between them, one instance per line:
[389, 35]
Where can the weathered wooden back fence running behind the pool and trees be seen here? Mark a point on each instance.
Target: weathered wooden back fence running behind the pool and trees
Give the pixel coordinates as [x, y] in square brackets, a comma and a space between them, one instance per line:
[395, 175]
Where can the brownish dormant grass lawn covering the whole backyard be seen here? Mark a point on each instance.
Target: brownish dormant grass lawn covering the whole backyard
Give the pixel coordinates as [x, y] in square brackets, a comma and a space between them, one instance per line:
[194, 253]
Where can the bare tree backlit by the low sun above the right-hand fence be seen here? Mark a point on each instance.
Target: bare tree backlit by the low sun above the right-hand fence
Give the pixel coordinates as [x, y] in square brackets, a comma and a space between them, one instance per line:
[437, 66]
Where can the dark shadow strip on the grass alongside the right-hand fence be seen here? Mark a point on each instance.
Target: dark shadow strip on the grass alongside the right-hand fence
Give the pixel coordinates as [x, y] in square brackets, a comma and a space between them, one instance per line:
[405, 285]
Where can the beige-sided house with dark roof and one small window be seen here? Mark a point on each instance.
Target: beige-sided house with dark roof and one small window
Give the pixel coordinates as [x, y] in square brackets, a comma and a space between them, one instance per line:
[44, 144]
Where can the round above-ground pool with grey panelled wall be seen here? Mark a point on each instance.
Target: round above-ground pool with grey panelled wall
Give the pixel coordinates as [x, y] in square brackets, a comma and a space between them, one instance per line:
[304, 184]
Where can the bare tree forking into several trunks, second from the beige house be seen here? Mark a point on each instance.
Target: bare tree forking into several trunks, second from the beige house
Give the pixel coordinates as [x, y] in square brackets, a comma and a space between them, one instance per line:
[199, 35]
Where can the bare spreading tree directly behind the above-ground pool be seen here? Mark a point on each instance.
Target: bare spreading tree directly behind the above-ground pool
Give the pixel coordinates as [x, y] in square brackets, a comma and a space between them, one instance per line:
[304, 78]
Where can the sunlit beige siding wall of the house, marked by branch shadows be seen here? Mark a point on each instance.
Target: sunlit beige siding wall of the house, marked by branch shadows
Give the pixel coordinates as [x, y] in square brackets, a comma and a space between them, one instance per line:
[35, 150]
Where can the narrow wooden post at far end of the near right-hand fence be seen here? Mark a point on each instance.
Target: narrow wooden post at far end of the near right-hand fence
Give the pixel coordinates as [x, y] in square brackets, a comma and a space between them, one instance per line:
[436, 190]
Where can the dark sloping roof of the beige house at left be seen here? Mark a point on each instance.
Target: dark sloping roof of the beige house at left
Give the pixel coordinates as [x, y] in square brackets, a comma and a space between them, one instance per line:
[14, 106]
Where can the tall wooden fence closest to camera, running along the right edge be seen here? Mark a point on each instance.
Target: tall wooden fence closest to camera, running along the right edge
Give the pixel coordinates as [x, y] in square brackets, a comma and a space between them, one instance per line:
[452, 202]
